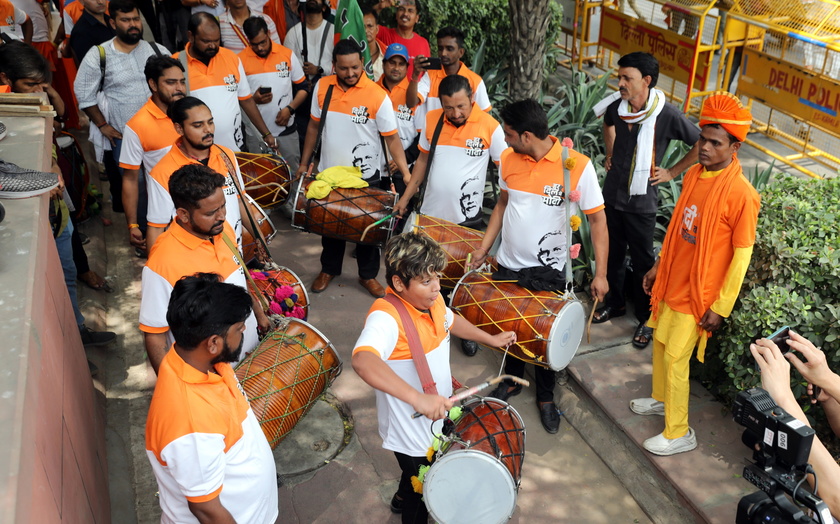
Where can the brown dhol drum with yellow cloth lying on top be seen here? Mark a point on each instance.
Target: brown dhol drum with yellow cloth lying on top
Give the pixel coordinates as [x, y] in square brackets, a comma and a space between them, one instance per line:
[344, 214]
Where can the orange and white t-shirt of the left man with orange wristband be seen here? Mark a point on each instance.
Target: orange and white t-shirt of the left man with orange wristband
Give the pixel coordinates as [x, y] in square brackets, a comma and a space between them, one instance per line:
[147, 137]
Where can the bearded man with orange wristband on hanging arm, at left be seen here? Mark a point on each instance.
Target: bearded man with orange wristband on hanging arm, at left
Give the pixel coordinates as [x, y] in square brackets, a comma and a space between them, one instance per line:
[147, 137]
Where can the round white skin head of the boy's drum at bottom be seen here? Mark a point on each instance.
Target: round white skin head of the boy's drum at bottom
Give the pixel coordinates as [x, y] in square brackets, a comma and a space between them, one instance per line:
[469, 487]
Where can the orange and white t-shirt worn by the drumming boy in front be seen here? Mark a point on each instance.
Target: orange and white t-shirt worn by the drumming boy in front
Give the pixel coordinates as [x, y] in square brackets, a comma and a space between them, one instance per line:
[384, 336]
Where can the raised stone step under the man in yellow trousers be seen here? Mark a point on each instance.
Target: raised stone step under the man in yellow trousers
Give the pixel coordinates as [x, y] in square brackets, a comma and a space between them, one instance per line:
[703, 485]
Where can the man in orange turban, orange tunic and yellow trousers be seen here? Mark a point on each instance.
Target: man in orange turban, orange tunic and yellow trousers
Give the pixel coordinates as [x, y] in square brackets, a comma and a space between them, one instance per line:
[695, 282]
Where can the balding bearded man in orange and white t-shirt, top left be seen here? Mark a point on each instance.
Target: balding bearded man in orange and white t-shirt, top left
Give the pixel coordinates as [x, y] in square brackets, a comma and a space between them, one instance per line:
[216, 76]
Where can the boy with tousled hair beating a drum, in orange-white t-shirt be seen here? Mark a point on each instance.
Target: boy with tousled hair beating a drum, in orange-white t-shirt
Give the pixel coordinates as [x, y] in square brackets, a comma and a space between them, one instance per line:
[382, 358]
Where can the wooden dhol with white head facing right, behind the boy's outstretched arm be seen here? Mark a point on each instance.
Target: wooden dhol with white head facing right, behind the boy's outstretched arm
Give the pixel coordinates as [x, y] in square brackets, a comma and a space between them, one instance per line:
[548, 328]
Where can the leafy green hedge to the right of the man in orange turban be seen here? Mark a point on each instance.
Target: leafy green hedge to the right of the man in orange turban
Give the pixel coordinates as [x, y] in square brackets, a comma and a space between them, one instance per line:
[793, 279]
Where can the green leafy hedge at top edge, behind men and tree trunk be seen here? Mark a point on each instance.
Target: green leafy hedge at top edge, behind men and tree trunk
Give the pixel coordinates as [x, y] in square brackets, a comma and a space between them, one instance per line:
[479, 20]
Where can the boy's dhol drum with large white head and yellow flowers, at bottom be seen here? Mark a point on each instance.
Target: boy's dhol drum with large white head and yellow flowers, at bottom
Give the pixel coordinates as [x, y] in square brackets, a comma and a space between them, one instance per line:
[476, 476]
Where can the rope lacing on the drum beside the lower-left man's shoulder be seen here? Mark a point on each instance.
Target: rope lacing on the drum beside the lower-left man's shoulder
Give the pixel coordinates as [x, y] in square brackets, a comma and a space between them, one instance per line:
[277, 368]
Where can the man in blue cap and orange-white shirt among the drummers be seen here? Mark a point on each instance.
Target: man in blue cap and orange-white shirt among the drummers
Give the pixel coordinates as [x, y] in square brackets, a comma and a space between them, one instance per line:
[396, 82]
